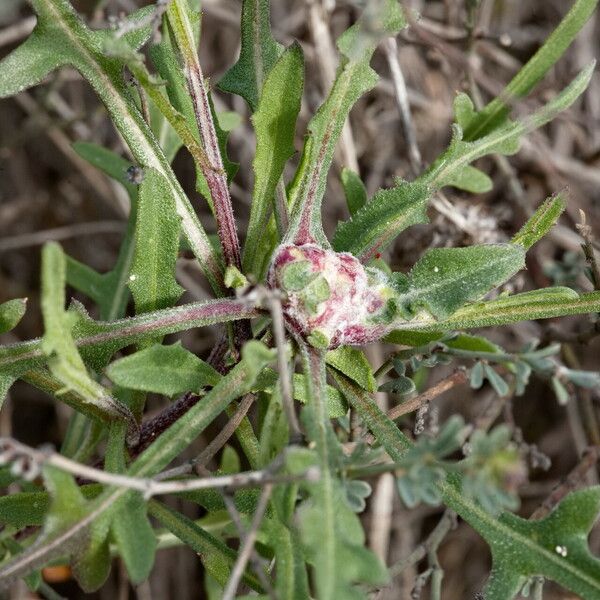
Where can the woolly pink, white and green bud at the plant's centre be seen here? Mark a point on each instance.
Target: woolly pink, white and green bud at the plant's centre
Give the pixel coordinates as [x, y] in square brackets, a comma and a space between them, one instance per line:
[331, 299]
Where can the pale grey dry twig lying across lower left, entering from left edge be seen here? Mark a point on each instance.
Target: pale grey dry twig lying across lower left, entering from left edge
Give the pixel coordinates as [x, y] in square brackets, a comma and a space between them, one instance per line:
[28, 463]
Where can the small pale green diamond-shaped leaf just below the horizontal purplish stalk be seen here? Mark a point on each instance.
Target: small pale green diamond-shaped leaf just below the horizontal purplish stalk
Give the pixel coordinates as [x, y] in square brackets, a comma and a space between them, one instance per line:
[167, 370]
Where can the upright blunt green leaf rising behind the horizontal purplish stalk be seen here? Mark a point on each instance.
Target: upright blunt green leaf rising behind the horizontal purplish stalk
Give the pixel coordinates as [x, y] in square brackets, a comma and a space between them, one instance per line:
[152, 278]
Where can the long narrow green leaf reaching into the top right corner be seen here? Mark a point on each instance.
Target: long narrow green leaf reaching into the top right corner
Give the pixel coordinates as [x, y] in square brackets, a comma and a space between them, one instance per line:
[494, 114]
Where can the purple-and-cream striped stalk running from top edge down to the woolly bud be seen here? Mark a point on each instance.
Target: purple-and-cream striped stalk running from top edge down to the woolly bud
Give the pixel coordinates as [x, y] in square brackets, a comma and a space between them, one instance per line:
[214, 173]
